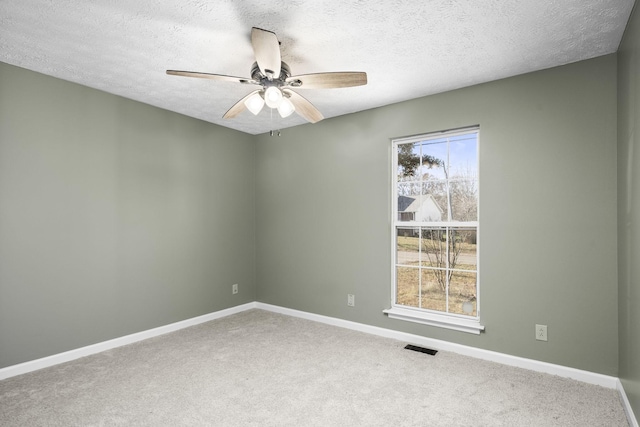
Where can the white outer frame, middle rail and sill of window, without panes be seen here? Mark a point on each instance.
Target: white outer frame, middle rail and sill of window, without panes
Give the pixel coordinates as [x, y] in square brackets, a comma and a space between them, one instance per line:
[470, 324]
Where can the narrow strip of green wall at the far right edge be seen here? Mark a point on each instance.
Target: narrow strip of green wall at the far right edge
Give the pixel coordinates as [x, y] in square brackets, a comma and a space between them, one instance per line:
[629, 209]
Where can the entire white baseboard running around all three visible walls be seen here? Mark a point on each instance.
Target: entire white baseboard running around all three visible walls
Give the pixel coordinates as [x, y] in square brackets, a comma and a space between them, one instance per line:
[505, 359]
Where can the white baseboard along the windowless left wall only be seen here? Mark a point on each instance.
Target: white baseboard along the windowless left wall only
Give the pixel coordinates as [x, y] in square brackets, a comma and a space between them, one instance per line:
[45, 362]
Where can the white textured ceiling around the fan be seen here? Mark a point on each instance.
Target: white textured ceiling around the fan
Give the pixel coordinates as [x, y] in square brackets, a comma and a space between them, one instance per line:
[409, 49]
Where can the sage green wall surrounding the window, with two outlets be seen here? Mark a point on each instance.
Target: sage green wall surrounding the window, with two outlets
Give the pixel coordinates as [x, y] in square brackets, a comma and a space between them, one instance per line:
[547, 212]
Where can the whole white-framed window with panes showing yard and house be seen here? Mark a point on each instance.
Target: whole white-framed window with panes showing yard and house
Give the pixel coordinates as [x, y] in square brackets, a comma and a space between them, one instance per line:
[435, 229]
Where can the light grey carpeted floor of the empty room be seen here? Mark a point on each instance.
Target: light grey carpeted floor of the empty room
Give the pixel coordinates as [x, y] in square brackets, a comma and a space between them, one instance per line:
[258, 368]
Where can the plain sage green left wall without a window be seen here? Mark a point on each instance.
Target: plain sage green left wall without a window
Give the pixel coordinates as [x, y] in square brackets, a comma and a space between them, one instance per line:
[115, 217]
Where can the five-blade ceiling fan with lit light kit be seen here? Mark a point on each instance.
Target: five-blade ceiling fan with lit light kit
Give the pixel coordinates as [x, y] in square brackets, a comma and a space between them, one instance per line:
[276, 82]
